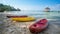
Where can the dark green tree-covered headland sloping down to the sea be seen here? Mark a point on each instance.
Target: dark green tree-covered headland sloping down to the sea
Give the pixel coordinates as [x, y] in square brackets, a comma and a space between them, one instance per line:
[7, 8]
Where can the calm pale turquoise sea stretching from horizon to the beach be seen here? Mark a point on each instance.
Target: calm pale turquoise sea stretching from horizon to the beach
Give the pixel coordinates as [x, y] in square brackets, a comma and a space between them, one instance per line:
[38, 14]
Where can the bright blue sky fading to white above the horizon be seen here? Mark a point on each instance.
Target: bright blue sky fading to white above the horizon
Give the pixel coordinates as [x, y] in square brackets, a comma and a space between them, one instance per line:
[33, 4]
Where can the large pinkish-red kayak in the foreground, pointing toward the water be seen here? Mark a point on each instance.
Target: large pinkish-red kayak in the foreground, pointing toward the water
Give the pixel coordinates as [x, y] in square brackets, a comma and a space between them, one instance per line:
[38, 26]
